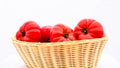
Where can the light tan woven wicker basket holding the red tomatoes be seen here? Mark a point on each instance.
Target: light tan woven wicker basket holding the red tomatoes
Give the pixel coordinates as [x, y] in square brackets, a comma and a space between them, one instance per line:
[70, 54]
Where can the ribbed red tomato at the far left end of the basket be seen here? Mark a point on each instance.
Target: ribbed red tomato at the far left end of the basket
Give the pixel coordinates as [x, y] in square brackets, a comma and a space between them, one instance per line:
[30, 31]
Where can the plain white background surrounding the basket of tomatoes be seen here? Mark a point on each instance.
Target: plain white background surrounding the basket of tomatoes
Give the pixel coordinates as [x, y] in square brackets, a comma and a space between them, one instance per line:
[13, 13]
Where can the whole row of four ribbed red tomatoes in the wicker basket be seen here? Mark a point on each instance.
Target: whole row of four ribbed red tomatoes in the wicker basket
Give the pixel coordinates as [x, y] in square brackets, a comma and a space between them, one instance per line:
[30, 31]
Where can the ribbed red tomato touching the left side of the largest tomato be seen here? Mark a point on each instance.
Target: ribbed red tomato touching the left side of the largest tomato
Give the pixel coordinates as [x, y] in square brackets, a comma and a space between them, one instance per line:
[60, 33]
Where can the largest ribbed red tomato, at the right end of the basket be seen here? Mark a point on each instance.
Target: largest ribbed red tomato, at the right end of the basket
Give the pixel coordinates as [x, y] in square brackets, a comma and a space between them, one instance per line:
[88, 29]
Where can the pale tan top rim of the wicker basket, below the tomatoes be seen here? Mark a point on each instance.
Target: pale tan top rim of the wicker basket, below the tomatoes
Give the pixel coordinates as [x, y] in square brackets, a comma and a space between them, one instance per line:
[14, 40]
